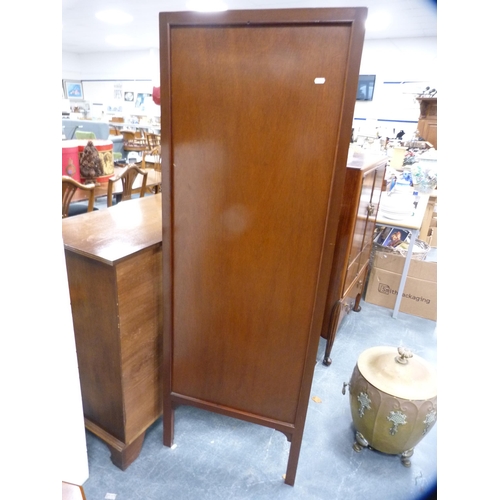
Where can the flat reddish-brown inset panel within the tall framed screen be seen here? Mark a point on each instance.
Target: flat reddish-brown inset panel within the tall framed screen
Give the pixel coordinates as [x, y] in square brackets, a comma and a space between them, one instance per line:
[252, 187]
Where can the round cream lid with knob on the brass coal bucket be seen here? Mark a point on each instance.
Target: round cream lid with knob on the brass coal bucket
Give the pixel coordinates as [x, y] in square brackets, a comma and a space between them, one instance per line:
[398, 372]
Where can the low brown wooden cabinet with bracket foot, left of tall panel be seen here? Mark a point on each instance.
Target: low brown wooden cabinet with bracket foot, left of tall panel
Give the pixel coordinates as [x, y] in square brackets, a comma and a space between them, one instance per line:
[114, 264]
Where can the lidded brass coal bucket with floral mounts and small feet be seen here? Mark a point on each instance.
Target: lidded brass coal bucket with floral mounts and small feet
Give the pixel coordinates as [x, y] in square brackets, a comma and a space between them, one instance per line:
[393, 397]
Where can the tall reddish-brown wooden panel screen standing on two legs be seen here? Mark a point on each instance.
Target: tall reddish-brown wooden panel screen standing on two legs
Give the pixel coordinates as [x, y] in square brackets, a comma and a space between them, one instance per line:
[257, 110]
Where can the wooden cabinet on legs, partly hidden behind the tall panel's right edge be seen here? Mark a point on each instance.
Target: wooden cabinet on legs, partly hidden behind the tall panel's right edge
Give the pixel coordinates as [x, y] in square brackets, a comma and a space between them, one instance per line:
[360, 201]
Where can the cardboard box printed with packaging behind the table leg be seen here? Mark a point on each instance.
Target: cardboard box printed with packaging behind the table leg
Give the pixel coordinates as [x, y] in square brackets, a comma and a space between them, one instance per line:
[420, 293]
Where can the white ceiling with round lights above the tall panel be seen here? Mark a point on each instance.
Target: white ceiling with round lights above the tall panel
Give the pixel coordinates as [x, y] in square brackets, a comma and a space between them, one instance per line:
[83, 33]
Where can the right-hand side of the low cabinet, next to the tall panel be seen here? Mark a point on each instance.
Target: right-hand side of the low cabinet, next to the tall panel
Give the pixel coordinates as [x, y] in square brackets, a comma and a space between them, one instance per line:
[139, 280]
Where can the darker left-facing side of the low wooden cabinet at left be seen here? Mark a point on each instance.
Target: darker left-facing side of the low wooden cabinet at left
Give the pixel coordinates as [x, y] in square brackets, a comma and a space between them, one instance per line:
[93, 305]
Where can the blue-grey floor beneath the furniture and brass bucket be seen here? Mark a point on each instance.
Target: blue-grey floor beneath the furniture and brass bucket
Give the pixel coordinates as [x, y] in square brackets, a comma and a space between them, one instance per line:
[216, 457]
